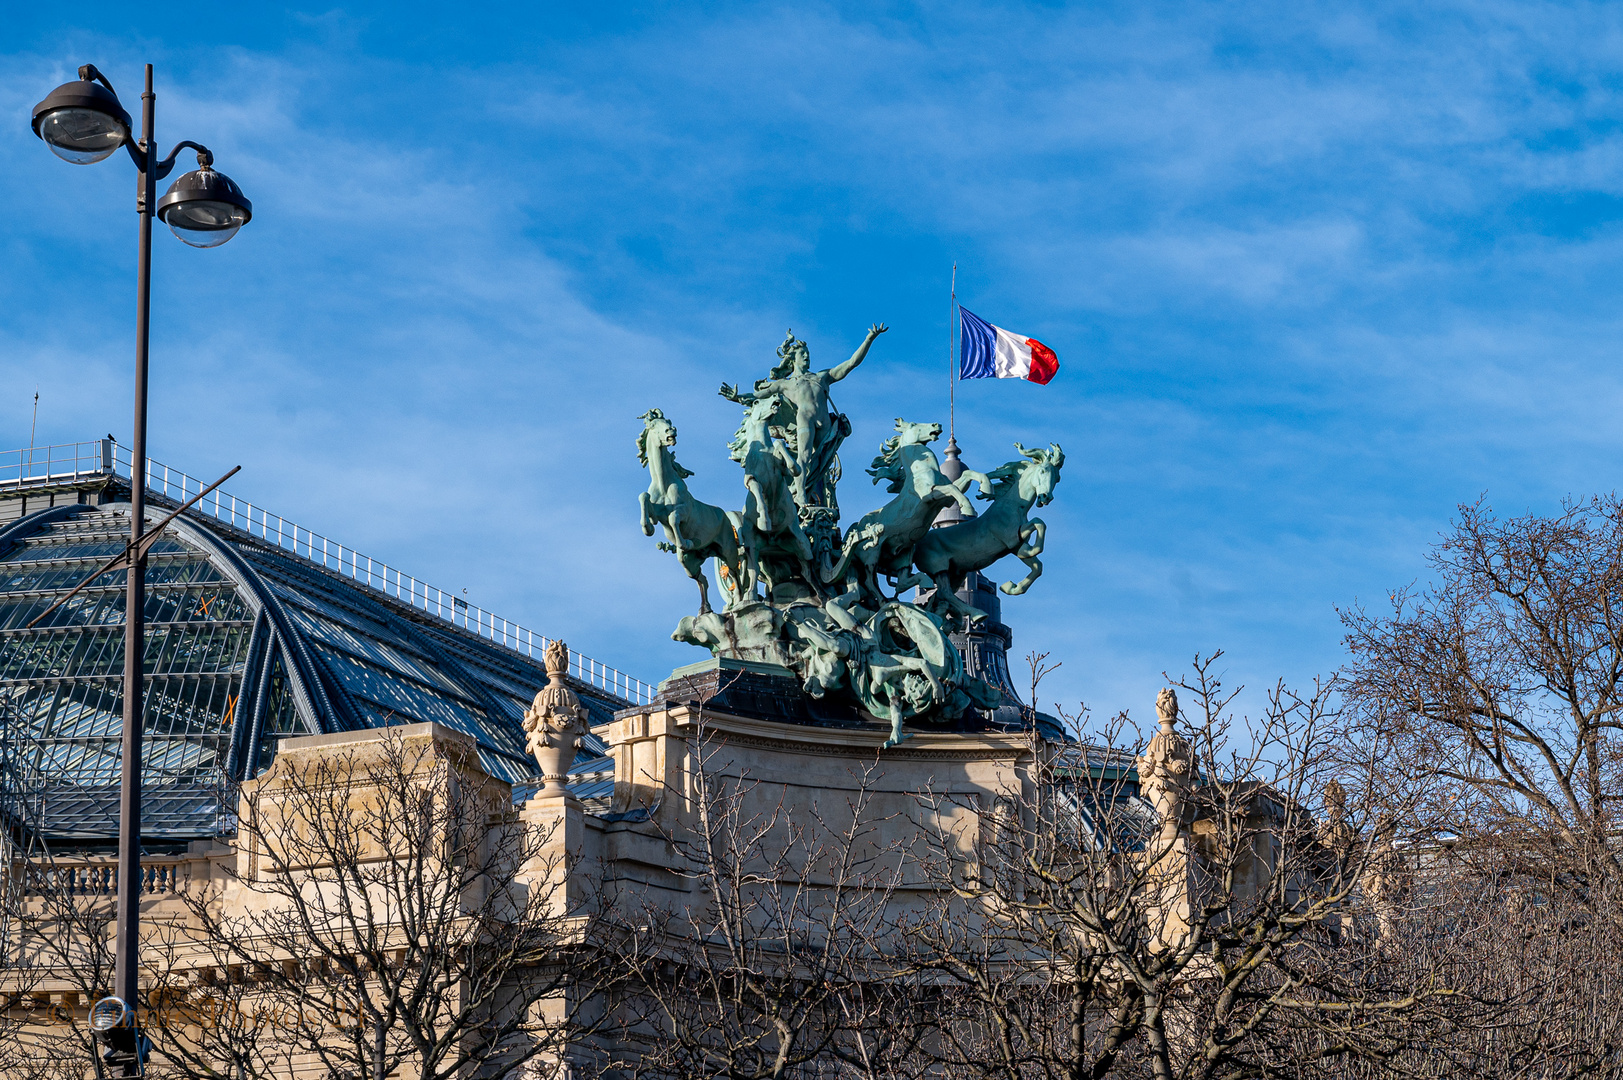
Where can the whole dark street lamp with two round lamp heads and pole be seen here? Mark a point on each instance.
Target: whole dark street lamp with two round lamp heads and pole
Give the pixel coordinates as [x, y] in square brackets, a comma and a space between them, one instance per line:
[84, 123]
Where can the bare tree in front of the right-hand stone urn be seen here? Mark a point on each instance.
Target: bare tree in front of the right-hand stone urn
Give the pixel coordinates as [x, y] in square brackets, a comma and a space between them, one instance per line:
[1197, 933]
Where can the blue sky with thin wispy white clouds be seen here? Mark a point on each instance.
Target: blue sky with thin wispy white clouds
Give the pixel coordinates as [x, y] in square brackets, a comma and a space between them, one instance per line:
[1315, 274]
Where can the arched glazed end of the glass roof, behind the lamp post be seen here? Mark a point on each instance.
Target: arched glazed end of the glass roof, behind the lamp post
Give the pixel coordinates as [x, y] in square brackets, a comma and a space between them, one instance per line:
[64, 683]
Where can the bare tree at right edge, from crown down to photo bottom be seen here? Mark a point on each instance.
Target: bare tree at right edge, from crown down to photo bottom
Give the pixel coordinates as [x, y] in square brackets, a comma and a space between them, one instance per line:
[1489, 706]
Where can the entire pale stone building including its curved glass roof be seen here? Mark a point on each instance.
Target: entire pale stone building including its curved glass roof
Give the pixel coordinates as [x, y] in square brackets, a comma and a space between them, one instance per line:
[282, 675]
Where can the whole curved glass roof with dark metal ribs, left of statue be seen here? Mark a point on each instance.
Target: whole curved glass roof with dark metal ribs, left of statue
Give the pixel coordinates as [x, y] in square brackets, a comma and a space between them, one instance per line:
[244, 646]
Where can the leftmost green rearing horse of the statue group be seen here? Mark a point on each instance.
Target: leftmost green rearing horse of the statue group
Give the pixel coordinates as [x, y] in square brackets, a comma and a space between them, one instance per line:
[695, 530]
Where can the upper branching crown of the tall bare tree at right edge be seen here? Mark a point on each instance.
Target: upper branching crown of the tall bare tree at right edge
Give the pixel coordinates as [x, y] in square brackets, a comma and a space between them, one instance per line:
[1492, 701]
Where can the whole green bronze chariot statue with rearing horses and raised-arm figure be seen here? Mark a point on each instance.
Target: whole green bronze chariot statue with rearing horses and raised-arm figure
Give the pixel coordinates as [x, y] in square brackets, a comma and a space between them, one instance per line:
[804, 595]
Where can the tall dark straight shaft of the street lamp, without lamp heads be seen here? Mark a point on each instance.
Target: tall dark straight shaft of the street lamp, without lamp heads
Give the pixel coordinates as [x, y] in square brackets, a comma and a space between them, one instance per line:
[127, 959]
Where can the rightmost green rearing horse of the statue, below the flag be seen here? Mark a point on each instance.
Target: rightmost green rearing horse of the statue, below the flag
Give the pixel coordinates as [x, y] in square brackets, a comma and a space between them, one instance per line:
[947, 556]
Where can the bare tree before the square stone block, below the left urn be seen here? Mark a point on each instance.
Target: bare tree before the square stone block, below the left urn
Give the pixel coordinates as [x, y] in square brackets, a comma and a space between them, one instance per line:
[392, 914]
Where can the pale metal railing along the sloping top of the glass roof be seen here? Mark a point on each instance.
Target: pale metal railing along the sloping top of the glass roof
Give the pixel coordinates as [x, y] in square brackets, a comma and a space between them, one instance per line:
[67, 464]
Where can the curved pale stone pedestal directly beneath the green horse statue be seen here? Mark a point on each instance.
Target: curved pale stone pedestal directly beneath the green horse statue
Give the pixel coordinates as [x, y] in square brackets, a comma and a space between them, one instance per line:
[671, 753]
